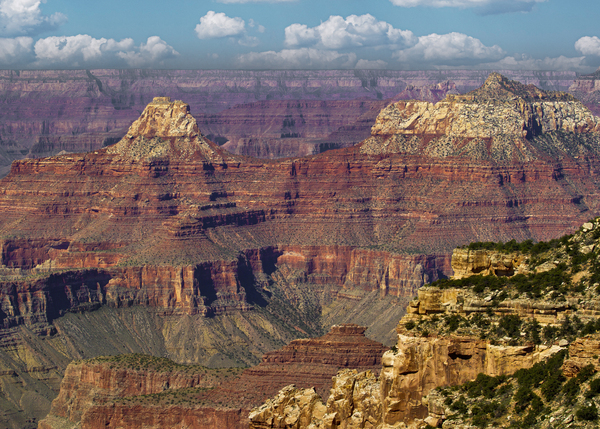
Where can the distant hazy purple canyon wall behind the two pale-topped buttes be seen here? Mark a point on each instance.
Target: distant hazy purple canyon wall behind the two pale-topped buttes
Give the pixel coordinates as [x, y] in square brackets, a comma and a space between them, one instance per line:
[268, 114]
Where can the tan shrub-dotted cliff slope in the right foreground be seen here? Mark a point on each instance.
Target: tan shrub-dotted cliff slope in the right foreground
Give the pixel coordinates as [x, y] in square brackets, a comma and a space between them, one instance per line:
[475, 331]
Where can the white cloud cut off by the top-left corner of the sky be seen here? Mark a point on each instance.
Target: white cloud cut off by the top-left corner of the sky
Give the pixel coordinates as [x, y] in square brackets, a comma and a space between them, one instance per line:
[24, 17]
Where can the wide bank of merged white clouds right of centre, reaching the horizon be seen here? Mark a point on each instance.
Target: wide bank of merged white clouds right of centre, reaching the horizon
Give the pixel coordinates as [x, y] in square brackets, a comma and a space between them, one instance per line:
[351, 42]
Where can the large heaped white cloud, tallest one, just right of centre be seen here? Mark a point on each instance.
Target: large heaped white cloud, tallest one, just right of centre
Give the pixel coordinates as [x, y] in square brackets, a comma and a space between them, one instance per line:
[354, 31]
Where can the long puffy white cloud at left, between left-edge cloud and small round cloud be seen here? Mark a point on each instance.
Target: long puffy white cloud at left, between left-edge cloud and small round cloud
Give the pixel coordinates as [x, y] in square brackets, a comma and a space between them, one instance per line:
[76, 51]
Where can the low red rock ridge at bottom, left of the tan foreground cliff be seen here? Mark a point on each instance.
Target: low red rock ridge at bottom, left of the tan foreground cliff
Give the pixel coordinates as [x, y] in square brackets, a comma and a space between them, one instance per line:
[129, 390]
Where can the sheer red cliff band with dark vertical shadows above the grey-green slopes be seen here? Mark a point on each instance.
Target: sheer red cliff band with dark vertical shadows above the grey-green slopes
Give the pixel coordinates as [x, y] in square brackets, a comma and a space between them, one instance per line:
[206, 288]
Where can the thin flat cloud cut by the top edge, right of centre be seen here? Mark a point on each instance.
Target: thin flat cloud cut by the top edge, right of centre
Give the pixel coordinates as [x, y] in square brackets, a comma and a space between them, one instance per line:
[484, 6]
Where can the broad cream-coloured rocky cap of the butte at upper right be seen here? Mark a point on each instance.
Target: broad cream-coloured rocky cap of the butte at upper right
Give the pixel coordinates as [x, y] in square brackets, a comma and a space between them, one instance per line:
[466, 124]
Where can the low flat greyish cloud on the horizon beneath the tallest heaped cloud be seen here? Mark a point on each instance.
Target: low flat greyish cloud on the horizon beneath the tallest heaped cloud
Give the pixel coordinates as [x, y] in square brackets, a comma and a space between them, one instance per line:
[303, 58]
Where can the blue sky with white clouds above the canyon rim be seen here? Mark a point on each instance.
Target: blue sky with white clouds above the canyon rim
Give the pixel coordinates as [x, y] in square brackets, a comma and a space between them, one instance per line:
[557, 35]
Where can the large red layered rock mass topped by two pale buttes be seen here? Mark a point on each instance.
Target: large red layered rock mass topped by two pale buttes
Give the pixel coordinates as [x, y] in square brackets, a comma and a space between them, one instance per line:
[166, 244]
